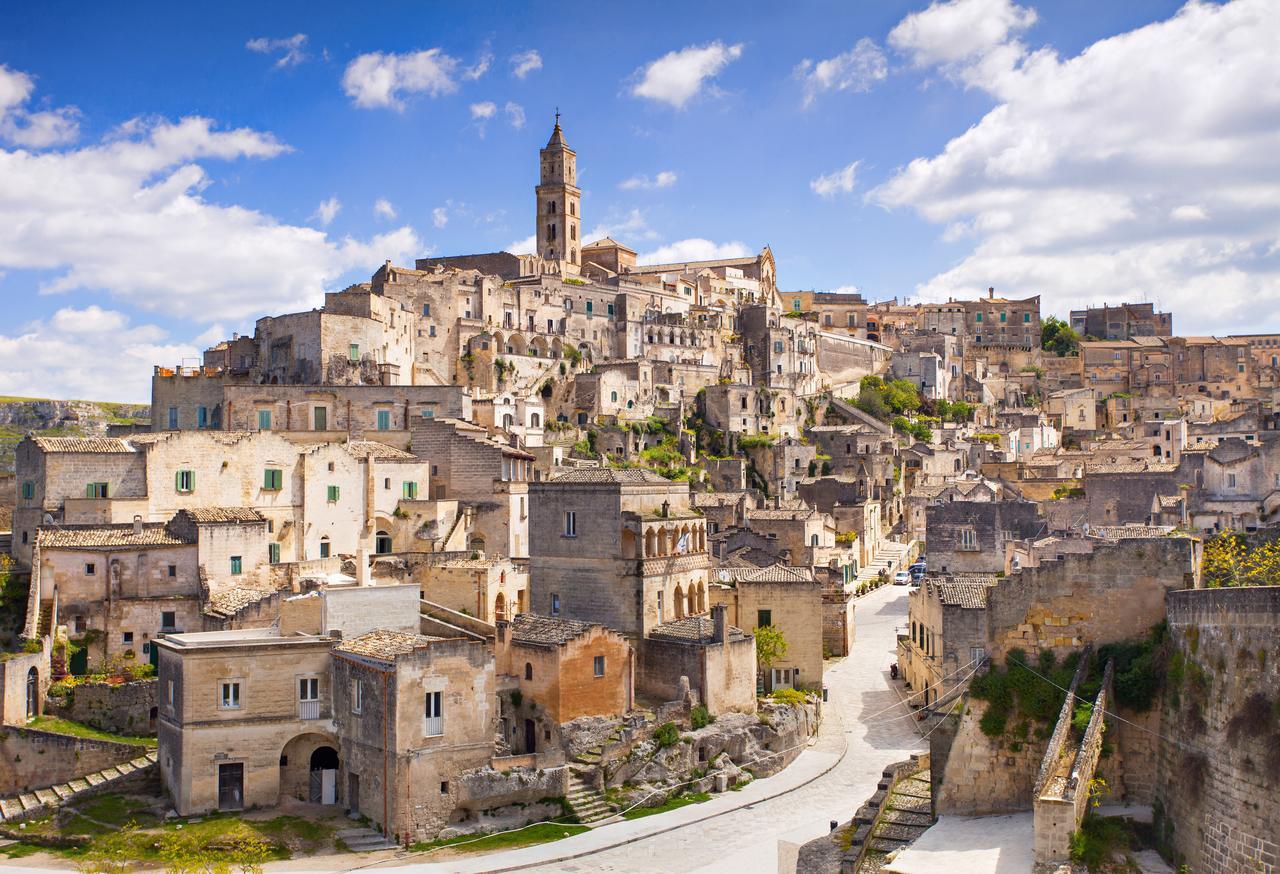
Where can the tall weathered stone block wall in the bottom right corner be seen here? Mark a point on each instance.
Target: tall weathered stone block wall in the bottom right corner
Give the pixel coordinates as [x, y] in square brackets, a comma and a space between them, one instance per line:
[1218, 776]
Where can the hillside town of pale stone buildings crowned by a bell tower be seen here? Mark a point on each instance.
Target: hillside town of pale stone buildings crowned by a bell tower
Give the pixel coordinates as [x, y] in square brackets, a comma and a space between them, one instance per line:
[493, 542]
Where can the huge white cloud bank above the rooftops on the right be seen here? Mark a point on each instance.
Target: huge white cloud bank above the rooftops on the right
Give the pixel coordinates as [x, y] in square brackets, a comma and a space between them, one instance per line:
[1146, 166]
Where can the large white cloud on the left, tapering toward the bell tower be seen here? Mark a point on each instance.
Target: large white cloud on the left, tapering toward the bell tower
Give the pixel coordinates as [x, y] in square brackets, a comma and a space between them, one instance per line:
[126, 218]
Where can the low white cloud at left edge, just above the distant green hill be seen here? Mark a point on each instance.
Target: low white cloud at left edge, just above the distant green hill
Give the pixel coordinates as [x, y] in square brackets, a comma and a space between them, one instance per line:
[47, 359]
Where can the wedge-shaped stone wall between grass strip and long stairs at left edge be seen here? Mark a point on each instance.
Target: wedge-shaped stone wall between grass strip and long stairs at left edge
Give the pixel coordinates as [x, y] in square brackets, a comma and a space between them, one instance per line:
[33, 759]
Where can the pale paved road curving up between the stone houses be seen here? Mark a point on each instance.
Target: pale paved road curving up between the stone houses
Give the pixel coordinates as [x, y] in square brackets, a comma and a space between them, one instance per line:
[828, 783]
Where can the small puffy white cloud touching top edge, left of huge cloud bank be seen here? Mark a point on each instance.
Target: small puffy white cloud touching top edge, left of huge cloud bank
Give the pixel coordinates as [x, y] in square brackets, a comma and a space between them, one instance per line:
[959, 30]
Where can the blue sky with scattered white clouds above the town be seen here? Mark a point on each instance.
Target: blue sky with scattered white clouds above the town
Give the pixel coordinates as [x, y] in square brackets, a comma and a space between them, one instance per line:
[171, 173]
